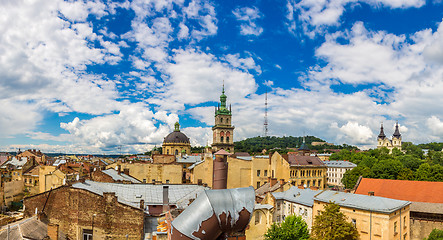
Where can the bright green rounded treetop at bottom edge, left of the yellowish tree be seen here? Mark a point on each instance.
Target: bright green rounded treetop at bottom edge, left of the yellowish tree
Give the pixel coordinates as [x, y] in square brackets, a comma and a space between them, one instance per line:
[293, 227]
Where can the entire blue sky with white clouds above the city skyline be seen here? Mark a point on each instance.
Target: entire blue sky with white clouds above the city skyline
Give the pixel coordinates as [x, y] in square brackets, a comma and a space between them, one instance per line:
[91, 76]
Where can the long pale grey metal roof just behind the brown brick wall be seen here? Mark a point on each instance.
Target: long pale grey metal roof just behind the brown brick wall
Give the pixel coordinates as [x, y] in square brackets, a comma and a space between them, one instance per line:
[131, 194]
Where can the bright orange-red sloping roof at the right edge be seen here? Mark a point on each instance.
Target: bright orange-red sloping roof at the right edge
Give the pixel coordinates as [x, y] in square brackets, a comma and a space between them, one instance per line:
[414, 191]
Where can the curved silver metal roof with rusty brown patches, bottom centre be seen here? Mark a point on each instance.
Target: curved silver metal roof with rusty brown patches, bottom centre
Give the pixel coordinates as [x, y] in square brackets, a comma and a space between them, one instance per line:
[215, 212]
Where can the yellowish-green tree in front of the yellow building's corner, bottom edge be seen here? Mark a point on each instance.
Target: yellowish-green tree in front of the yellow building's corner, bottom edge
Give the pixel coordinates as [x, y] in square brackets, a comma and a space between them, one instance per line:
[331, 224]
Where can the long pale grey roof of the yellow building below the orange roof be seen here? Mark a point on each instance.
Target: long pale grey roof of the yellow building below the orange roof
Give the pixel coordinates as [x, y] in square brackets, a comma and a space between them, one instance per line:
[363, 202]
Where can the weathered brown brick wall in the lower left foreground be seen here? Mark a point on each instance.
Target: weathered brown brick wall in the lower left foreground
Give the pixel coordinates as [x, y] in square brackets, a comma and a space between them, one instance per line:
[76, 210]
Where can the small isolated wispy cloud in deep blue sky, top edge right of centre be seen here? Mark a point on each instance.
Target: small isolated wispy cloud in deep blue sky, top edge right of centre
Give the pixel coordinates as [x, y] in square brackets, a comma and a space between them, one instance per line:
[248, 17]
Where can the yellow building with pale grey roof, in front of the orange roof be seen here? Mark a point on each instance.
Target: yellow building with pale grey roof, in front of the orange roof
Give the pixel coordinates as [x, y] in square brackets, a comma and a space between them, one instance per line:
[374, 217]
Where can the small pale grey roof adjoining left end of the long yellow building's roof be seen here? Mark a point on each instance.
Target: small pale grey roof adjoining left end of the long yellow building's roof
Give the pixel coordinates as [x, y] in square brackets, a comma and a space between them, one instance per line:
[297, 195]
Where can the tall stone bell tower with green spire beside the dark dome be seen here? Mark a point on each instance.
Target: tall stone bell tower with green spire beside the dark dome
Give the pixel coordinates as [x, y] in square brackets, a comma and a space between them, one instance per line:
[223, 131]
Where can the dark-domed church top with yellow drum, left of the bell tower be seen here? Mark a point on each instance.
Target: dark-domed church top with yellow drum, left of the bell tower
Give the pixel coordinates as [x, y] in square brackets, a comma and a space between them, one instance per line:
[176, 143]
